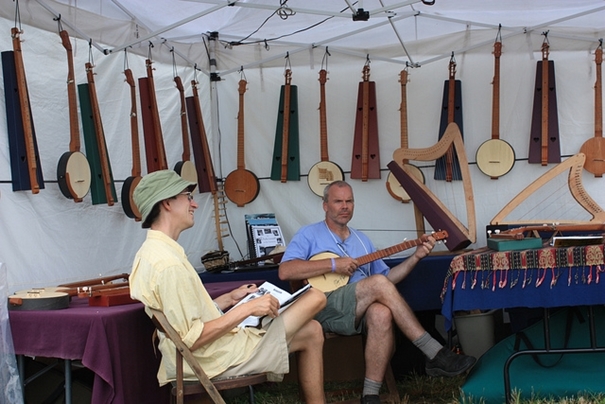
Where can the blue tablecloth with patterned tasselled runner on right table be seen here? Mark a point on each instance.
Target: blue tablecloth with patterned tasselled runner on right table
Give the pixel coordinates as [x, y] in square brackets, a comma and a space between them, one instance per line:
[546, 277]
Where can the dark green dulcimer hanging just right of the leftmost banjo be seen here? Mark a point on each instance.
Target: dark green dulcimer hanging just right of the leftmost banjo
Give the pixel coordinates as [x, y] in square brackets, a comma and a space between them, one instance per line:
[102, 185]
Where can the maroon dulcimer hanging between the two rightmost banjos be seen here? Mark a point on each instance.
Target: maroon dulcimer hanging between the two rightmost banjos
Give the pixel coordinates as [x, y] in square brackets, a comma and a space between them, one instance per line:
[544, 140]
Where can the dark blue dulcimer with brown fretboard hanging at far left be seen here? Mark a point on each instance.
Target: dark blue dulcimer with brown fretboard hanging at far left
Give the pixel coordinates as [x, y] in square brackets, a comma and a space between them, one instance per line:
[25, 161]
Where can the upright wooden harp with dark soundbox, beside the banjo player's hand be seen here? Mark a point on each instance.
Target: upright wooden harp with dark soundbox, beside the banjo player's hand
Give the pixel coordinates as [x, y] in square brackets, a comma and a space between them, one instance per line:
[435, 212]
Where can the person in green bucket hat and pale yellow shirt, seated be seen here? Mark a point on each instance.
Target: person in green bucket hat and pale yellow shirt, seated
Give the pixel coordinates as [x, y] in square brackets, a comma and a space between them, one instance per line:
[162, 278]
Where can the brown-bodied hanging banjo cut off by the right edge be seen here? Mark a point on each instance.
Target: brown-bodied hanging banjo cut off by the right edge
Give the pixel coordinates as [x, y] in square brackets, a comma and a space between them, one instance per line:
[594, 148]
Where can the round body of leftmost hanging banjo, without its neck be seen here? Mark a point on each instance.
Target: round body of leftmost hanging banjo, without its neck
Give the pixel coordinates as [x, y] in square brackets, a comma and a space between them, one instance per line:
[73, 175]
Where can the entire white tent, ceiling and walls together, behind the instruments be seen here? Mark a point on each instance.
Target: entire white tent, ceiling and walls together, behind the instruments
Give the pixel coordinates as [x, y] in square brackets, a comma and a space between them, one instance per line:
[46, 239]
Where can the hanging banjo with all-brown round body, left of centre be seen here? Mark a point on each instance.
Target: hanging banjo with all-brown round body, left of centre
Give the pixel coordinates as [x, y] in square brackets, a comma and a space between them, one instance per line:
[241, 185]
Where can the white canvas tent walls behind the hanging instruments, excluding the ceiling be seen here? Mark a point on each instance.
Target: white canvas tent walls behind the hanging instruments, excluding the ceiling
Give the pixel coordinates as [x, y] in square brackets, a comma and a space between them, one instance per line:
[46, 239]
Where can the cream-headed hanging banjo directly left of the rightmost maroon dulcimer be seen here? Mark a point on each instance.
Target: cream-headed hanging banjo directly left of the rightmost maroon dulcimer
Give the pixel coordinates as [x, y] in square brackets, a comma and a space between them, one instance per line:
[495, 157]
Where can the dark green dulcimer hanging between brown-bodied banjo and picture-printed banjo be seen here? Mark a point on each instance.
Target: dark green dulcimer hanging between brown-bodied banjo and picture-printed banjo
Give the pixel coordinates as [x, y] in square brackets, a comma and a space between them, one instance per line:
[286, 162]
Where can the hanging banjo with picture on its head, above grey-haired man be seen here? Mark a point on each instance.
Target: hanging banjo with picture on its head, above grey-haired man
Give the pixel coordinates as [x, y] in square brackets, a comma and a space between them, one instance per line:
[325, 172]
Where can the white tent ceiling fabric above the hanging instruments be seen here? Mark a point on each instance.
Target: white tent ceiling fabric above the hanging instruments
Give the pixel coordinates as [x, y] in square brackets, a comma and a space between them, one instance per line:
[404, 31]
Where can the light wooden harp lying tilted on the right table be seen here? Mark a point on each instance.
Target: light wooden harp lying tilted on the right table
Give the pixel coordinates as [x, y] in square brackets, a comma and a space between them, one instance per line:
[575, 166]
